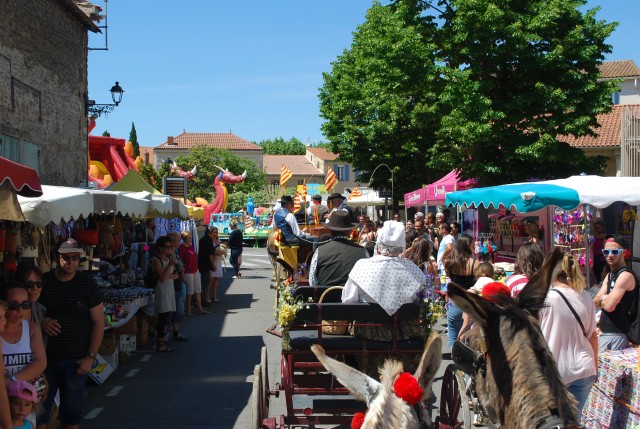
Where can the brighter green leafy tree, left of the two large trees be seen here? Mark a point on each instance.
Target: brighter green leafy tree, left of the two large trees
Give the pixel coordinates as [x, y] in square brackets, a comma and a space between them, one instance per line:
[378, 100]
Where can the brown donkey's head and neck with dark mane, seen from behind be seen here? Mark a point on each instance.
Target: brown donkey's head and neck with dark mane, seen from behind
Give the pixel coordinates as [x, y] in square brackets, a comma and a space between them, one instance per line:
[515, 376]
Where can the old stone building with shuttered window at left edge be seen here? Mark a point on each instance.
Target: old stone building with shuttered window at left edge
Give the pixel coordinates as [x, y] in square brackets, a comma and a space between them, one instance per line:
[43, 87]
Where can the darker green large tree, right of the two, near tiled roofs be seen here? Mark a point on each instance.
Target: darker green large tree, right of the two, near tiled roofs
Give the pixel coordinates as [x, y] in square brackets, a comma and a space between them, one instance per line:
[520, 73]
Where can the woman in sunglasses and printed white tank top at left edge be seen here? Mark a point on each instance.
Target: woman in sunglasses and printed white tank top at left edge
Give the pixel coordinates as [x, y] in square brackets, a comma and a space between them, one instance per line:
[22, 346]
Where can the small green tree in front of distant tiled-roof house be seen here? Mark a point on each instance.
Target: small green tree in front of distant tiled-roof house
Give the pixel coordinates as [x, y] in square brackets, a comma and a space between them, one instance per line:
[208, 159]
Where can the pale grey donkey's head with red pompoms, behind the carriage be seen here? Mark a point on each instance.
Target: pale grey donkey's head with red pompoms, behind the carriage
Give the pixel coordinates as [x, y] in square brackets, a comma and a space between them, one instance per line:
[386, 409]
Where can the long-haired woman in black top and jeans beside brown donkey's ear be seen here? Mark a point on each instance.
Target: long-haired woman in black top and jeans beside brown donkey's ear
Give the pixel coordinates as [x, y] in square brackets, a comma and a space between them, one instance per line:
[459, 267]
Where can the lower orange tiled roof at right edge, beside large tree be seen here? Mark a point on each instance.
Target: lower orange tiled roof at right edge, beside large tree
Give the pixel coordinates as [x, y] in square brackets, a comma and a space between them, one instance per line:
[609, 132]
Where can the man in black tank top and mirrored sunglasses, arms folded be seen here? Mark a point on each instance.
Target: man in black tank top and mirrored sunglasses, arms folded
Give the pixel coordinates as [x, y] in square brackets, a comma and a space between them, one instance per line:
[616, 296]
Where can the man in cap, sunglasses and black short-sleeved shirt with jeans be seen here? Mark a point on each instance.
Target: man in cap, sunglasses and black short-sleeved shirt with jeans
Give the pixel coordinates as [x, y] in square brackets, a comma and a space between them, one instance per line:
[74, 323]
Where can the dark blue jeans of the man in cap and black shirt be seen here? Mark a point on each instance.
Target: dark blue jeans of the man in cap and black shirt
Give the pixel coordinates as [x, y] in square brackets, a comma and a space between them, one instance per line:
[61, 374]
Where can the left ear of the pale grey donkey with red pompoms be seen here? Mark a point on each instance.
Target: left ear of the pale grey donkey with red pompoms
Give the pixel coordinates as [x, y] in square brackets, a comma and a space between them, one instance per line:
[360, 385]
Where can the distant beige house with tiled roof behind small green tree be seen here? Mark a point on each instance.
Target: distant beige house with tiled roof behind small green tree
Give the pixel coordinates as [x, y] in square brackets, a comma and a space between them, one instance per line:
[181, 144]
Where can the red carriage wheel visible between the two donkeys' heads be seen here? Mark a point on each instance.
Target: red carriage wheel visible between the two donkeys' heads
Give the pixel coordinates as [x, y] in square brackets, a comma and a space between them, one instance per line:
[453, 400]
